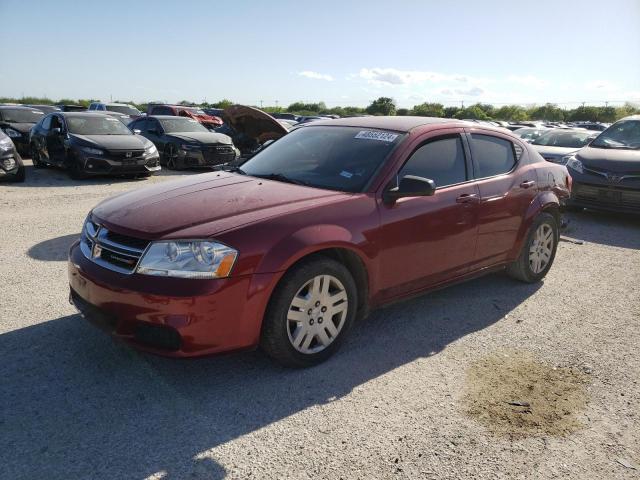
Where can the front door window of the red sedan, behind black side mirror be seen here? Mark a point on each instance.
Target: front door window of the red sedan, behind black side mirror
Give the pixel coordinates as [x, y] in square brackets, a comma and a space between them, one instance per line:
[441, 160]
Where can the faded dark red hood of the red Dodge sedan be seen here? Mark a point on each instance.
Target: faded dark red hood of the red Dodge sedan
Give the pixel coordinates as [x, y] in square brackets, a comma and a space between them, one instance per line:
[205, 205]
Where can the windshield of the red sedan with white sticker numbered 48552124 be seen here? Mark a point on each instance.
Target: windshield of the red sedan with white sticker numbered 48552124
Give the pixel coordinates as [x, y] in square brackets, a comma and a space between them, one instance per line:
[334, 158]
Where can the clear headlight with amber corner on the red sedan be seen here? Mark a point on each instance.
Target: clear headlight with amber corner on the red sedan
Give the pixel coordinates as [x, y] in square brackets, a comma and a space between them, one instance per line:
[188, 259]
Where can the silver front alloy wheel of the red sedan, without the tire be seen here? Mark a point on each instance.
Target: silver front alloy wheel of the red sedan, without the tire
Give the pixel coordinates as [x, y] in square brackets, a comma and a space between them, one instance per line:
[317, 314]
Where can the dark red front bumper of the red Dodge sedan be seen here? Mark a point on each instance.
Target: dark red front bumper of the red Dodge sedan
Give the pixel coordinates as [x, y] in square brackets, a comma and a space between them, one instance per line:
[170, 316]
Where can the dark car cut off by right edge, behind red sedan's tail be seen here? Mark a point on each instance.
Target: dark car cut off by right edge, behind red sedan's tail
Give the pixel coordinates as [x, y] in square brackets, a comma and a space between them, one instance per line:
[606, 173]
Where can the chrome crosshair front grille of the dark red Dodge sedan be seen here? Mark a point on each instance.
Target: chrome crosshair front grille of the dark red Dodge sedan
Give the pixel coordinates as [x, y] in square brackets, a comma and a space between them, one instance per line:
[111, 250]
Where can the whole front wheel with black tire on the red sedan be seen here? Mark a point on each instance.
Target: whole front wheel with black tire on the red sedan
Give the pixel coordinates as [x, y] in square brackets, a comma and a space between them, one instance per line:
[294, 331]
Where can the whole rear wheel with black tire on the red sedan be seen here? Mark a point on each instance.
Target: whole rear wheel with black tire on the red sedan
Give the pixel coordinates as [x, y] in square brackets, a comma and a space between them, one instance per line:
[540, 246]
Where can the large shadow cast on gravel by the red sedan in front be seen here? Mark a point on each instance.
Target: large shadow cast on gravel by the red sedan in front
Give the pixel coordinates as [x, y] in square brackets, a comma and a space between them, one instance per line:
[75, 404]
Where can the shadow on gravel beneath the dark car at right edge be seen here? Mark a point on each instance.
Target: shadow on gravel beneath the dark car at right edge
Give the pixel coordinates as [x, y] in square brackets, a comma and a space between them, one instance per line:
[605, 228]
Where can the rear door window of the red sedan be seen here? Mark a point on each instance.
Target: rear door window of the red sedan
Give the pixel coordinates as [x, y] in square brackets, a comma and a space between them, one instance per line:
[491, 155]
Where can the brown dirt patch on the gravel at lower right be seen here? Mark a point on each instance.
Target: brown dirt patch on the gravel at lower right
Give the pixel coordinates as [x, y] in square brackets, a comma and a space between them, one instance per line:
[513, 393]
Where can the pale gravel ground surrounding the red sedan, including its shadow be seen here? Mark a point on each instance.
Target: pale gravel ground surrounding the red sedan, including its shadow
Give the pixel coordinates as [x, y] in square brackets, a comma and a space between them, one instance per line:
[392, 404]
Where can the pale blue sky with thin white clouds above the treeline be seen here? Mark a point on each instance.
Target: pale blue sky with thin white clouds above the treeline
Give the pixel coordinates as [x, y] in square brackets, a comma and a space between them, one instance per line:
[342, 52]
